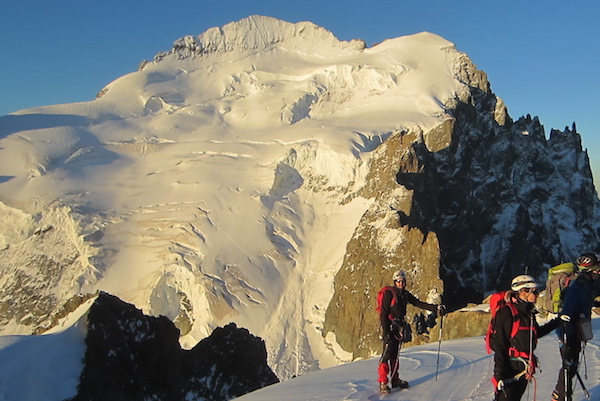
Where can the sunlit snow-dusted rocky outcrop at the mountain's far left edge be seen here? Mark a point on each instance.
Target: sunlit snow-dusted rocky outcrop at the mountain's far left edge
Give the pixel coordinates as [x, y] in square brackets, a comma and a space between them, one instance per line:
[45, 258]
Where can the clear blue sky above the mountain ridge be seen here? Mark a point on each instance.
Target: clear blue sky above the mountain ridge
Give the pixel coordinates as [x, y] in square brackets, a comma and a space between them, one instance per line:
[541, 57]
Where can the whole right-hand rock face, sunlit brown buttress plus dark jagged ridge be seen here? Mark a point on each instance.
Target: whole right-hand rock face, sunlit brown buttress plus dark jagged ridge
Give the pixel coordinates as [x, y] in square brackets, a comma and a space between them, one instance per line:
[463, 219]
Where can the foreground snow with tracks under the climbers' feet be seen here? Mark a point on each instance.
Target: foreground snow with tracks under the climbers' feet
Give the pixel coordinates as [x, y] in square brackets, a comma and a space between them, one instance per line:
[464, 374]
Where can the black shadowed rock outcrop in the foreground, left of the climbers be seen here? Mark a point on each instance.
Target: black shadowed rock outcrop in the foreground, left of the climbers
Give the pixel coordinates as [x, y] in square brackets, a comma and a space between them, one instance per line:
[131, 356]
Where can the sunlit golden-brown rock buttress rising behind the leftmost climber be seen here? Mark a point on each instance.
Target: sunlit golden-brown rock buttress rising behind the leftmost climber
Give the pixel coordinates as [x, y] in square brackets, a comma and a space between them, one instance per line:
[384, 242]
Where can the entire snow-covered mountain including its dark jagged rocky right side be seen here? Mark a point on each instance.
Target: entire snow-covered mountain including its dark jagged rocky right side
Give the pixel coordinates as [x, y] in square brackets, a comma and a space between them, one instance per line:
[269, 174]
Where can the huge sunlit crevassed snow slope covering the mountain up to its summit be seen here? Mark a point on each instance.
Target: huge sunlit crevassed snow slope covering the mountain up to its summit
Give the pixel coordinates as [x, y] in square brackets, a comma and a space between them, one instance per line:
[214, 184]
